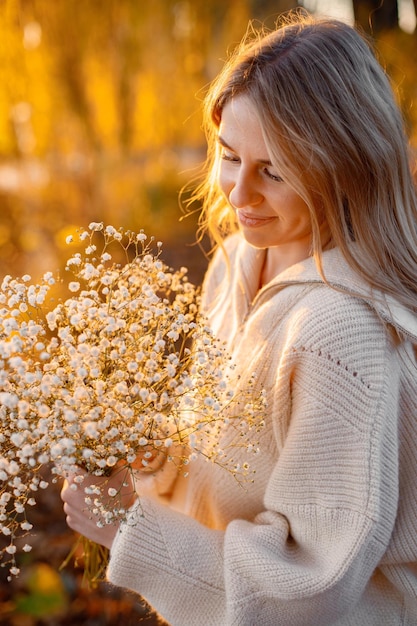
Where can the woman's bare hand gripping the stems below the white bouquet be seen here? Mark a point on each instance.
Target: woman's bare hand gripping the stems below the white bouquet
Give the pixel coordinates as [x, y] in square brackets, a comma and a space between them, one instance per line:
[80, 516]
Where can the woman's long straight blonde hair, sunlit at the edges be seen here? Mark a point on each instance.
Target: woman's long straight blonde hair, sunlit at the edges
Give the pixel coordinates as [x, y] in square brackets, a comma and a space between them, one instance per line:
[334, 130]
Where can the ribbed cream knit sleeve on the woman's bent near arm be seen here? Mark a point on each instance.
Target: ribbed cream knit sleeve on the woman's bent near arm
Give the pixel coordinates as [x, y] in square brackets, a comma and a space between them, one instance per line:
[329, 505]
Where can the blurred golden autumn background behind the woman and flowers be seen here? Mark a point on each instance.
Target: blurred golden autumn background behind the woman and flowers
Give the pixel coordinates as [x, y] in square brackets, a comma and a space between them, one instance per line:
[100, 120]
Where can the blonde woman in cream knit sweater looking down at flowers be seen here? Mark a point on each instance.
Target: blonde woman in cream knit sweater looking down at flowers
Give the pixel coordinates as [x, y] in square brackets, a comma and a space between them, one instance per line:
[314, 287]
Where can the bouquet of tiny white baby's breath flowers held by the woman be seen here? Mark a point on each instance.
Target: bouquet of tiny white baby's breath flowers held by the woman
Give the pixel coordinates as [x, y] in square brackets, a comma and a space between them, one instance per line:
[124, 364]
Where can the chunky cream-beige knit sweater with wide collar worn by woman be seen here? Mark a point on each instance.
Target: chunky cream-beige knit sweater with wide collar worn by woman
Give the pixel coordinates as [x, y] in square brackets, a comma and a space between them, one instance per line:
[327, 533]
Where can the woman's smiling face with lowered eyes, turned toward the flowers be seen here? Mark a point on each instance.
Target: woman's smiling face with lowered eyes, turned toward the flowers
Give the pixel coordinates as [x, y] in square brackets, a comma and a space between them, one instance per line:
[270, 213]
